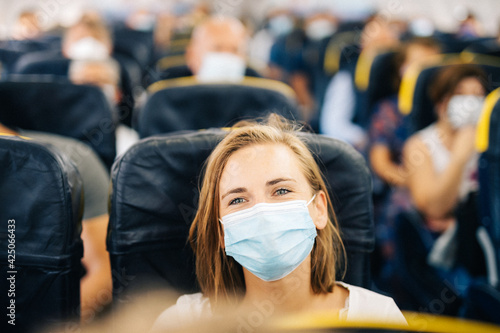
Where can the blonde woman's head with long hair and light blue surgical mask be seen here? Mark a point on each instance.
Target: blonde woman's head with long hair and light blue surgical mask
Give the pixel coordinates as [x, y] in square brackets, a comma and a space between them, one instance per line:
[263, 186]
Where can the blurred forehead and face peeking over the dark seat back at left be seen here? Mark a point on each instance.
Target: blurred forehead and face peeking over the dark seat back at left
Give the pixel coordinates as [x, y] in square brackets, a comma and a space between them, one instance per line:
[102, 73]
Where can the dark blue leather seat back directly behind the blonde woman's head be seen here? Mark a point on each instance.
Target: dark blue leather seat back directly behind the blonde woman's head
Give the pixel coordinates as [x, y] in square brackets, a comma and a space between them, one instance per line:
[155, 197]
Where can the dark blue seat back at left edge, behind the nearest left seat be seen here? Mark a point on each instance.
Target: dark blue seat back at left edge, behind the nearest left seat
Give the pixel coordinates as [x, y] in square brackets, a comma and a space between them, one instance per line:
[76, 111]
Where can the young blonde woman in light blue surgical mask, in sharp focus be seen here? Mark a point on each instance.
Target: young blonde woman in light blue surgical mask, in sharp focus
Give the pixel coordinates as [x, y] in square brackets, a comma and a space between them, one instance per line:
[265, 233]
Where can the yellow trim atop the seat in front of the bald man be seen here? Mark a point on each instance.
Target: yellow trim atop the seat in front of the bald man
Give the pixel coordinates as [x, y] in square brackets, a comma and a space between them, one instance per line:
[247, 81]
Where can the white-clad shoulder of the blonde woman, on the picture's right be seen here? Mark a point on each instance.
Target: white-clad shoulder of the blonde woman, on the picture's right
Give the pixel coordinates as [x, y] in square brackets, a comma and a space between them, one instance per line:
[368, 305]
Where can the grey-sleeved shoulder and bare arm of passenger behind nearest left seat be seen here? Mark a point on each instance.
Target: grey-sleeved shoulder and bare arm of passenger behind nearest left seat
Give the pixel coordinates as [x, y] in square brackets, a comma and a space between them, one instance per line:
[95, 286]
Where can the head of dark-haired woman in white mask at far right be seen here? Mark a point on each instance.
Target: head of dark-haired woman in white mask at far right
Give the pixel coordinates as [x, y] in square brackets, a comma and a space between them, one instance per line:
[458, 94]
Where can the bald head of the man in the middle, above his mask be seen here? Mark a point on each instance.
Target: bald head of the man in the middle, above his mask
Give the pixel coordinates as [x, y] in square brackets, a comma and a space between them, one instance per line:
[216, 34]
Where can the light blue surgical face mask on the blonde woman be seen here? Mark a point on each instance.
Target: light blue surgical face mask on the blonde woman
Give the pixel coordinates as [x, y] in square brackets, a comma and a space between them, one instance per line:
[270, 239]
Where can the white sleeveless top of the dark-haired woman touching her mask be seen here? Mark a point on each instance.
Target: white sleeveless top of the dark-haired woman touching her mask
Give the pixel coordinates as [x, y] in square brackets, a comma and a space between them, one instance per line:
[441, 158]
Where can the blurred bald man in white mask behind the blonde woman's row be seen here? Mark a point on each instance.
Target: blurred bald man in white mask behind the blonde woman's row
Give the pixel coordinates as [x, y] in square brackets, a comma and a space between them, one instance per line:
[216, 52]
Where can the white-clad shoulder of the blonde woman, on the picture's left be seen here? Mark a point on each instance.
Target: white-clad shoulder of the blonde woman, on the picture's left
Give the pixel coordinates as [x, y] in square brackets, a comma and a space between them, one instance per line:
[187, 309]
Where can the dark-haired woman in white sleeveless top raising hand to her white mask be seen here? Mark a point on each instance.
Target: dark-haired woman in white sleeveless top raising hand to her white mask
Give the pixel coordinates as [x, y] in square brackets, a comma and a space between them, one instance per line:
[447, 171]
